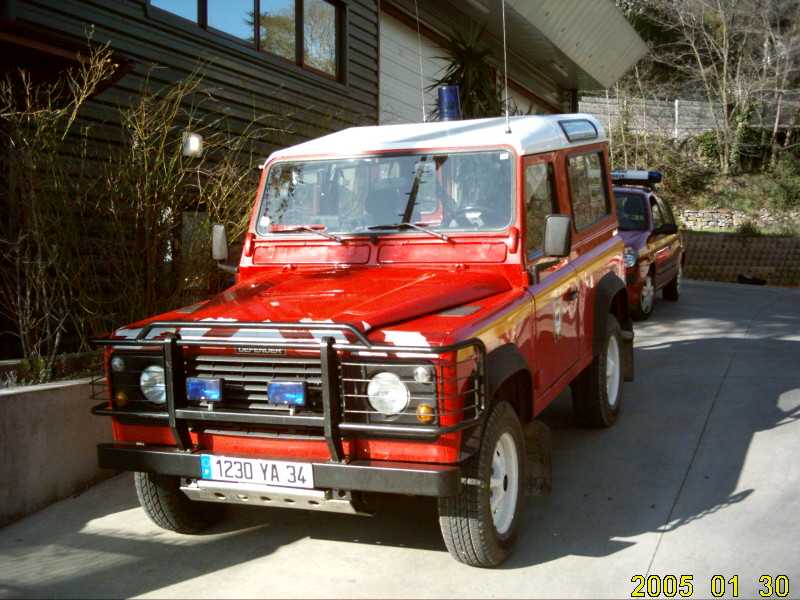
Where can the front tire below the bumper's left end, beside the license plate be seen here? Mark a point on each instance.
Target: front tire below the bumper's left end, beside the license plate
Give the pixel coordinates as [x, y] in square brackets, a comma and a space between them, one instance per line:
[169, 508]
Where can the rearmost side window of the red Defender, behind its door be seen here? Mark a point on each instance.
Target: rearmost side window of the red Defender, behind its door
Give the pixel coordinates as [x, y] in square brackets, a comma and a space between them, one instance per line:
[587, 188]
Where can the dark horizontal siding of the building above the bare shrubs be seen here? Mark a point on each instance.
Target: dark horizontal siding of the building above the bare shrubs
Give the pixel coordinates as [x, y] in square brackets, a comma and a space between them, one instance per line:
[246, 84]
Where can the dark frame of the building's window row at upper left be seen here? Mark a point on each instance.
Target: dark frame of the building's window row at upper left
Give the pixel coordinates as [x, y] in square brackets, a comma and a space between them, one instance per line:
[298, 60]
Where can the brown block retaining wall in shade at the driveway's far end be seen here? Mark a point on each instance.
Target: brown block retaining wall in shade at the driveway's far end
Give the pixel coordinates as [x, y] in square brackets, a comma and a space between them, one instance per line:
[726, 257]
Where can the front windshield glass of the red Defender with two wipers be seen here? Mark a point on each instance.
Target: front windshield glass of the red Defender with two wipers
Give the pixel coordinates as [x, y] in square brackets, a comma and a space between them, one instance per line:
[438, 192]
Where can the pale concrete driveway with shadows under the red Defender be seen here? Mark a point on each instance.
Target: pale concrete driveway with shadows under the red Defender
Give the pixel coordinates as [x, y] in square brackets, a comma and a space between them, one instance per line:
[698, 478]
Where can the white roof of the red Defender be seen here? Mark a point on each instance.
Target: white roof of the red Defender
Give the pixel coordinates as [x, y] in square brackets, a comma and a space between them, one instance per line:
[529, 135]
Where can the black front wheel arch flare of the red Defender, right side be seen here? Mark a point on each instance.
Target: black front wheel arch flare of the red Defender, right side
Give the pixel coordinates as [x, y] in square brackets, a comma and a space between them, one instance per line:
[502, 363]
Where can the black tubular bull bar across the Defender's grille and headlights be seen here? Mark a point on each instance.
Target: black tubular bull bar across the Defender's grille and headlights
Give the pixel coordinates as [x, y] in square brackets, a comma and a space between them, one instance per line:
[331, 423]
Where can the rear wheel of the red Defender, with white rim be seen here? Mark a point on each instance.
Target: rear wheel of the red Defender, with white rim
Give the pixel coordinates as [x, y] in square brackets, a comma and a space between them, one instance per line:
[597, 391]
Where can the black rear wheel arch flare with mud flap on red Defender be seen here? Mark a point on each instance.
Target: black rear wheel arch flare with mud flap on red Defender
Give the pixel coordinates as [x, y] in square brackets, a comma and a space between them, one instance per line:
[608, 292]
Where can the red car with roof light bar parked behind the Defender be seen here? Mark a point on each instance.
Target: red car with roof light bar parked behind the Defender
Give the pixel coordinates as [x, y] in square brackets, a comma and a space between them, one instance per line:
[654, 250]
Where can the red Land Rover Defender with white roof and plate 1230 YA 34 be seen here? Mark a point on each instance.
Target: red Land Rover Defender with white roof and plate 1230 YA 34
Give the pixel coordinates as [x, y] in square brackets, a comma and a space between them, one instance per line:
[408, 298]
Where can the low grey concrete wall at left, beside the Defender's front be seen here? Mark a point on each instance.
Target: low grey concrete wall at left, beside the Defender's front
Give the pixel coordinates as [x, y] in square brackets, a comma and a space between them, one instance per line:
[47, 444]
